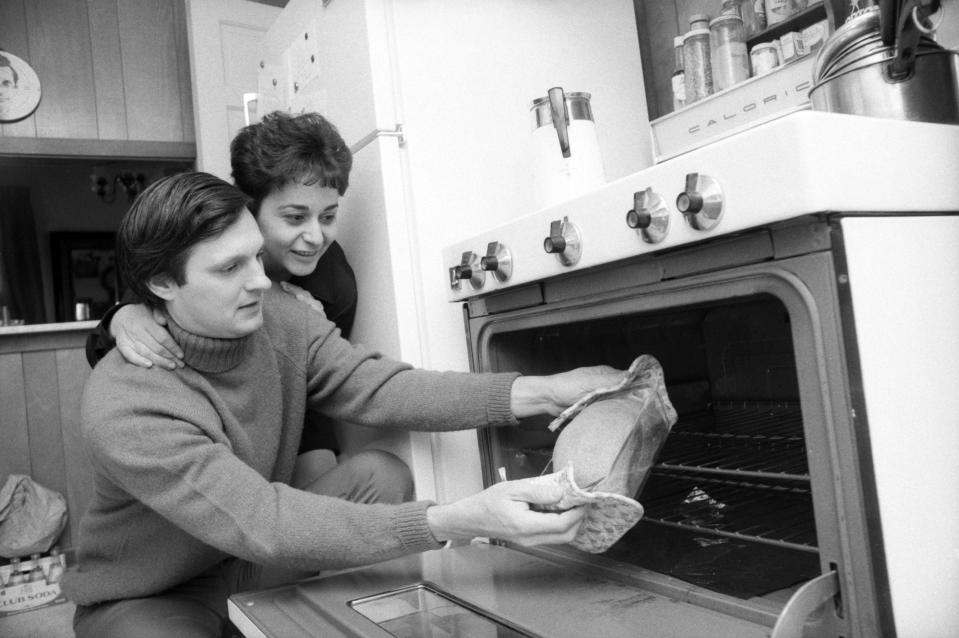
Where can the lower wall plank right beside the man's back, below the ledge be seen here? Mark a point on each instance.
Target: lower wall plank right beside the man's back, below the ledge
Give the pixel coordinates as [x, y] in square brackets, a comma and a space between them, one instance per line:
[72, 372]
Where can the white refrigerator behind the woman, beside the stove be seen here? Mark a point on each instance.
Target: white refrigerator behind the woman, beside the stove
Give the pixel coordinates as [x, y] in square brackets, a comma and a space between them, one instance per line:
[457, 77]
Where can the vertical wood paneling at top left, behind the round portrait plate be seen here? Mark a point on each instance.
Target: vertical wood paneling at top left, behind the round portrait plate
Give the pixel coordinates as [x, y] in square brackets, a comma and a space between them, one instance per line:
[115, 77]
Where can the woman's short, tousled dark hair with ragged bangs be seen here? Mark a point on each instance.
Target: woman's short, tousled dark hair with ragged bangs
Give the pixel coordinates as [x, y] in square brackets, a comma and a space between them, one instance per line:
[283, 149]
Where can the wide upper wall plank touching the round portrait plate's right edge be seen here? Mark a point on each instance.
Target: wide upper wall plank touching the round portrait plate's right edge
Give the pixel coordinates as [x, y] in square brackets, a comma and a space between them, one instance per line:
[59, 37]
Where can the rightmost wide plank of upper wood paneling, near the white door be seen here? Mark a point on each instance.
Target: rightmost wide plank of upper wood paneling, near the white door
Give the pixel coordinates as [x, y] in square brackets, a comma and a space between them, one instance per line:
[150, 74]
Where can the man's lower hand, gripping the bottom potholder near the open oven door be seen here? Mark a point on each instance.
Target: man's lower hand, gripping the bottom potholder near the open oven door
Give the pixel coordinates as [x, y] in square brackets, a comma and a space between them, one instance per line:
[503, 511]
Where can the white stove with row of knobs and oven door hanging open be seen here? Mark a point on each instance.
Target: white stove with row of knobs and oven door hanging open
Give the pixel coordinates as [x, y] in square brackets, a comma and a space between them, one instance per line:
[811, 320]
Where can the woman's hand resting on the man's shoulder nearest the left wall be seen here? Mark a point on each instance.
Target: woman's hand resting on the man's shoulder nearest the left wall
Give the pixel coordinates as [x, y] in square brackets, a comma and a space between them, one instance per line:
[142, 338]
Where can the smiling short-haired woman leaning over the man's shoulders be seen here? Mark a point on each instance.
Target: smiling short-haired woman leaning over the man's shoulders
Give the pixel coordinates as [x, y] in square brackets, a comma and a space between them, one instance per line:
[294, 169]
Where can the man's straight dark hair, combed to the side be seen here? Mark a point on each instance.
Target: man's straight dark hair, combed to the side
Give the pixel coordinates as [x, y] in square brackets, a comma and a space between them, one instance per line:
[166, 221]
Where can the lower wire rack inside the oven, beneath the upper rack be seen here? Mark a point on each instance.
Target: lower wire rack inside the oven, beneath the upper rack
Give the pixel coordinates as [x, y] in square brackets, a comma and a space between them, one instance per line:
[779, 514]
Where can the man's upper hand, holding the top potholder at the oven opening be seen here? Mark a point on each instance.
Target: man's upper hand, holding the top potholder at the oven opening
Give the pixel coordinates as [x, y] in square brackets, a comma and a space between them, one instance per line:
[553, 394]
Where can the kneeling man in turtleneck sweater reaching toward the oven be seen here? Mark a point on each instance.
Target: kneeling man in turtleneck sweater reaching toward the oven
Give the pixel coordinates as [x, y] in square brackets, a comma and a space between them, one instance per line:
[192, 468]
